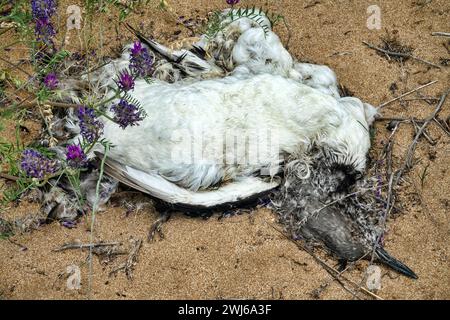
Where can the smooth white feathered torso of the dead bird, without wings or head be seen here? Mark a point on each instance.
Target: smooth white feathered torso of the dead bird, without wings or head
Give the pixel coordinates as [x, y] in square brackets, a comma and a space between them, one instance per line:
[202, 133]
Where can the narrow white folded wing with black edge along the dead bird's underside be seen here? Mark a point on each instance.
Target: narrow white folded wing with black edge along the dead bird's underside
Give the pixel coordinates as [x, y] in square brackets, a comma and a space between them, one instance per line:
[229, 195]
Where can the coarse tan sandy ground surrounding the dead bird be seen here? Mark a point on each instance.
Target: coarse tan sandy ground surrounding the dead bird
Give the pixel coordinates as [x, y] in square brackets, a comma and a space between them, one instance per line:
[244, 256]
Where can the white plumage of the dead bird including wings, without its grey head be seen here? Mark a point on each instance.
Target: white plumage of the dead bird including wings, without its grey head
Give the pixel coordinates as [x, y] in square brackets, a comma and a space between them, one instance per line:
[210, 142]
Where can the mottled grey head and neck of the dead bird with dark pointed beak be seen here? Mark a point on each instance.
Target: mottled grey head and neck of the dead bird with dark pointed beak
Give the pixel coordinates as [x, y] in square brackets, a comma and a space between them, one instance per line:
[330, 204]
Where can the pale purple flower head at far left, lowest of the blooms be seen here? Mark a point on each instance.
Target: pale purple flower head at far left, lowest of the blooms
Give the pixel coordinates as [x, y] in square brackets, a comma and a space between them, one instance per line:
[35, 165]
